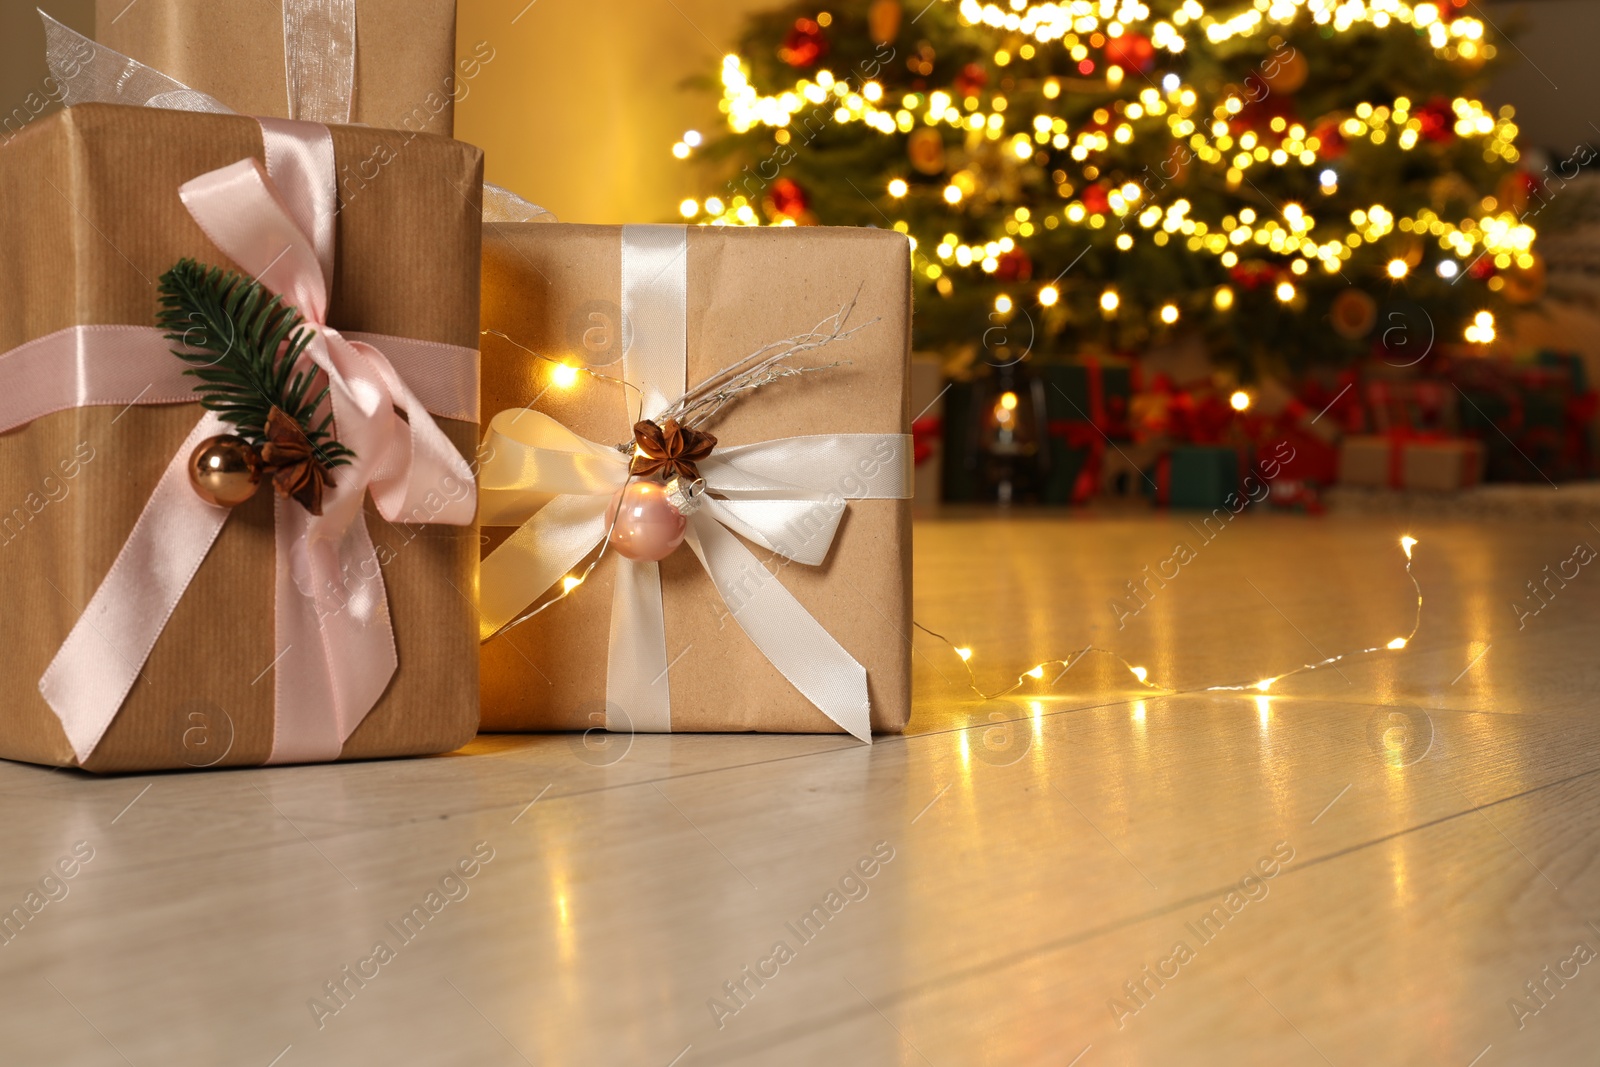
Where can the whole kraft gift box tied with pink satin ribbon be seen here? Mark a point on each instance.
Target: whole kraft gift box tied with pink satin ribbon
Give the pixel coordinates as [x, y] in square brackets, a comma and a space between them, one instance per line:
[106, 543]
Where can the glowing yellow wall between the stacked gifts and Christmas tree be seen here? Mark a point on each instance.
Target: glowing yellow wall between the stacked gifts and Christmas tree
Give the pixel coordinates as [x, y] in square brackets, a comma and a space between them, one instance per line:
[582, 105]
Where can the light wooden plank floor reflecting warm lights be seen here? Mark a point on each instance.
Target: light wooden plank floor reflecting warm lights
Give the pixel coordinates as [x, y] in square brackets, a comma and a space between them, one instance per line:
[1364, 866]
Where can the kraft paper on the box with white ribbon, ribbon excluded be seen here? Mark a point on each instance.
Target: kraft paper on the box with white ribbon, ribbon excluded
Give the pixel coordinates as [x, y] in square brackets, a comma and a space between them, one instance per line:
[554, 289]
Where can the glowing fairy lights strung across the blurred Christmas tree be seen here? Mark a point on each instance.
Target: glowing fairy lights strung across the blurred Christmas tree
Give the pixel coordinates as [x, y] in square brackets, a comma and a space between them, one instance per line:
[1294, 231]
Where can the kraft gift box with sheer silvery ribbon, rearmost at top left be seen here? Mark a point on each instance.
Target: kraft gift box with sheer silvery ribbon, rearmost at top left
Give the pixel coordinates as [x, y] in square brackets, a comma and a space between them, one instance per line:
[378, 63]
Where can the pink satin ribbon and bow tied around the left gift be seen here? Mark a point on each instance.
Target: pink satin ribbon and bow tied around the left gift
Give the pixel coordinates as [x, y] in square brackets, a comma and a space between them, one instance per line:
[335, 649]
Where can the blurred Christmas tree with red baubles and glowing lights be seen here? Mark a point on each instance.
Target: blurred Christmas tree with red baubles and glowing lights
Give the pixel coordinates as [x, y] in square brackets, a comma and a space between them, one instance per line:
[1295, 182]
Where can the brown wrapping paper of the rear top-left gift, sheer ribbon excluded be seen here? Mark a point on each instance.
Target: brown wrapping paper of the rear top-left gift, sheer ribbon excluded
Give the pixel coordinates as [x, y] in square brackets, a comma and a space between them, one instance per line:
[233, 50]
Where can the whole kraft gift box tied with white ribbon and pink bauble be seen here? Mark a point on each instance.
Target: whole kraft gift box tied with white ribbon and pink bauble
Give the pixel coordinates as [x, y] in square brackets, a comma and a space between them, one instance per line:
[804, 634]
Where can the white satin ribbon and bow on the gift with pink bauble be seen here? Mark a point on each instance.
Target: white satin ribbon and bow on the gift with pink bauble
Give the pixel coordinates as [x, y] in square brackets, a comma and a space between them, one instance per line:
[785, 495]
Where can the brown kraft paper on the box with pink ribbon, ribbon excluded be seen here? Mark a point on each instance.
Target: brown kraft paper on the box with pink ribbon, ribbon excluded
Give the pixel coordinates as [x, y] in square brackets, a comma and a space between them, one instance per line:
[90, 220]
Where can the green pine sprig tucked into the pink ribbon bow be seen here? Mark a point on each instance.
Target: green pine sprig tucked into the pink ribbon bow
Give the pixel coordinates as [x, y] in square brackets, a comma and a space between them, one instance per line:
[244, 345]
